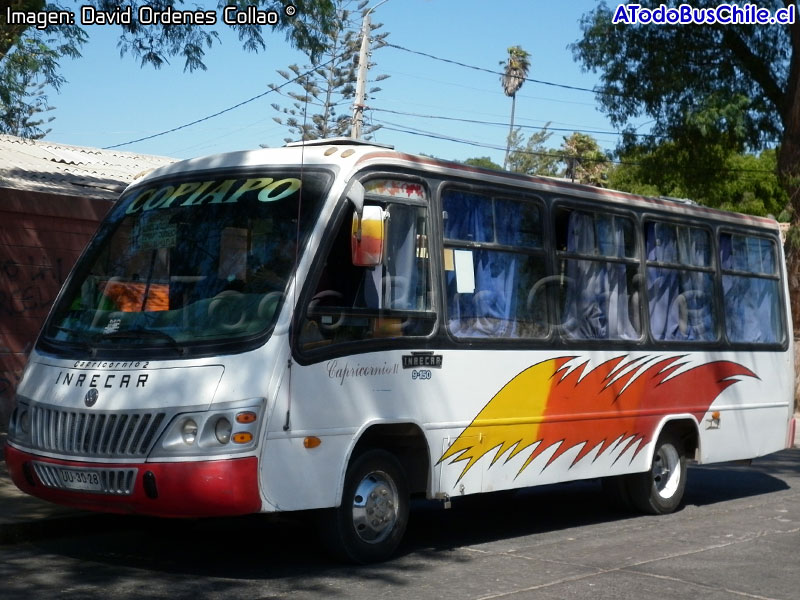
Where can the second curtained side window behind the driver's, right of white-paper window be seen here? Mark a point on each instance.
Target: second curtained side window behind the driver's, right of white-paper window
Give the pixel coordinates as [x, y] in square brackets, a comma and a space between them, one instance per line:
[599, 276]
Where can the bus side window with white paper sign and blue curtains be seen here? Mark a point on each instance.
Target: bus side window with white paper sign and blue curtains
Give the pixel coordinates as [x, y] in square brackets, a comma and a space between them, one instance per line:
[494, 267]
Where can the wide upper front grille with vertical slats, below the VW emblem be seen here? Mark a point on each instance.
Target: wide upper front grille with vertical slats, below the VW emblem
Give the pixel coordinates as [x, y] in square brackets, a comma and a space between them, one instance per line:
[94, 434]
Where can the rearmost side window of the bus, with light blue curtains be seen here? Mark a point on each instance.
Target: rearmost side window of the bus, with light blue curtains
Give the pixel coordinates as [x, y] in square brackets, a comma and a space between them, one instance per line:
[750, 289]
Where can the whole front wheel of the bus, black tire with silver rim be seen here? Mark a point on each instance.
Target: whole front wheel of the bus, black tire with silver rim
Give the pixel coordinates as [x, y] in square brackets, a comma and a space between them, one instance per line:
[371, 520]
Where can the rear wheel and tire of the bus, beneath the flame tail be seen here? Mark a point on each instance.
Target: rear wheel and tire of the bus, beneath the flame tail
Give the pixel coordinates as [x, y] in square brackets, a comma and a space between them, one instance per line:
[659, 491]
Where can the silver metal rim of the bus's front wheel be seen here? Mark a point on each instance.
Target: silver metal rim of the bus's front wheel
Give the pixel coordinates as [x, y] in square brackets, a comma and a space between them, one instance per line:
[375, 505]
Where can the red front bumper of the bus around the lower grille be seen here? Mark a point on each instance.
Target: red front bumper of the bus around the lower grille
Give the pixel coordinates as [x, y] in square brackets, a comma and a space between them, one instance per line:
[185, 489]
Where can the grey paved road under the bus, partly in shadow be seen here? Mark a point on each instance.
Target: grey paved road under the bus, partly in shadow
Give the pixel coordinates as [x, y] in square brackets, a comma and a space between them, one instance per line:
[737, 537]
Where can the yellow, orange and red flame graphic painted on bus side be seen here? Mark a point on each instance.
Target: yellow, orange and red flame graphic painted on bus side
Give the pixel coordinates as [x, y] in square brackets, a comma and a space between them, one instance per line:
[618, 402]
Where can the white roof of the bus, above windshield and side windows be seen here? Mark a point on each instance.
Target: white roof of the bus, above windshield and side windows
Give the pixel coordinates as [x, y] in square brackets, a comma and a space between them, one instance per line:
[354, 155]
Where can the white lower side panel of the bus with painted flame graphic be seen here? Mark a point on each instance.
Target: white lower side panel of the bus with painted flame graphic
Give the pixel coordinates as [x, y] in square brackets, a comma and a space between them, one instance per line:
[501, 420]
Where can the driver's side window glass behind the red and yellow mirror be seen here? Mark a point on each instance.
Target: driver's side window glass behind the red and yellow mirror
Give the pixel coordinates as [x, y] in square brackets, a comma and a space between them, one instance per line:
[353, 303]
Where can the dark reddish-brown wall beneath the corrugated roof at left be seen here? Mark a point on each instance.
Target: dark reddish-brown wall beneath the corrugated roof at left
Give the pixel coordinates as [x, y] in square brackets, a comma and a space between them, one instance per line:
[41, 236]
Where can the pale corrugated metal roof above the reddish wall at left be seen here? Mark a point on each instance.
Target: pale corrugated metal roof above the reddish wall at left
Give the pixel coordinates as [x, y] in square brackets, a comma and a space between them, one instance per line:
[44, 166]
